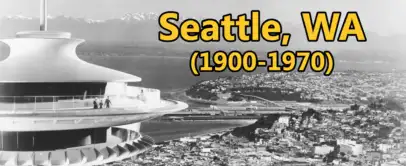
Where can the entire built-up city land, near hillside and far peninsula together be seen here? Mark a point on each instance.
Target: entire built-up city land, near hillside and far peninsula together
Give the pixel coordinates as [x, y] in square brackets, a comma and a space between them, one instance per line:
[370, 132]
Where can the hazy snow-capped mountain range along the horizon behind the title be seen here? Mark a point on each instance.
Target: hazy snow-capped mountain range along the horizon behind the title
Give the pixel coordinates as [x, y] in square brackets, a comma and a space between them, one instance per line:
[144, 27]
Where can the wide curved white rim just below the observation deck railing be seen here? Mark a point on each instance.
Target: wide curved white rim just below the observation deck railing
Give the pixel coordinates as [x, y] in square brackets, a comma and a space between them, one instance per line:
[82, 118]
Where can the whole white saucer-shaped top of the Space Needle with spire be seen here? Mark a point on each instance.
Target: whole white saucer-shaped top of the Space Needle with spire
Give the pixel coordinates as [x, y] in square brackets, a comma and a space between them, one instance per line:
[47, 116]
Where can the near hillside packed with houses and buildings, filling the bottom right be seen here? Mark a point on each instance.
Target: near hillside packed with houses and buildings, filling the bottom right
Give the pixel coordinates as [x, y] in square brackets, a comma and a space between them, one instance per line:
[357, 136]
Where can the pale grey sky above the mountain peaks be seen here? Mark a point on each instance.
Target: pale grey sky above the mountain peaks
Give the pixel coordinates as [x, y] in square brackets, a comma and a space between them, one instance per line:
[382, 17]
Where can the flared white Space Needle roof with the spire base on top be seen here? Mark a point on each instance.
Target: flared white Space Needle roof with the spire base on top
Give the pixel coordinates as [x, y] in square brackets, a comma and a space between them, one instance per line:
[48, 56]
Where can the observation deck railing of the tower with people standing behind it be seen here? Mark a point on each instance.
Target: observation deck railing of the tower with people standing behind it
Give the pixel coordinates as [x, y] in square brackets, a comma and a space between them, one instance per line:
[33, 104]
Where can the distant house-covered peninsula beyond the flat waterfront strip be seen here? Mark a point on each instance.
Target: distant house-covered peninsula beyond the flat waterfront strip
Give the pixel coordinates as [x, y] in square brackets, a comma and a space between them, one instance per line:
[341, 87]
